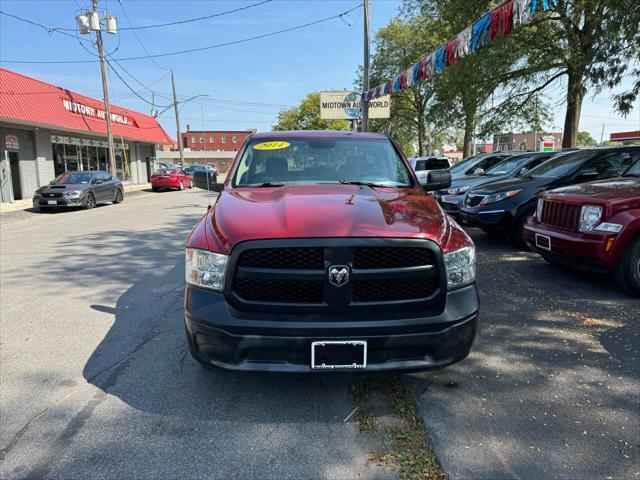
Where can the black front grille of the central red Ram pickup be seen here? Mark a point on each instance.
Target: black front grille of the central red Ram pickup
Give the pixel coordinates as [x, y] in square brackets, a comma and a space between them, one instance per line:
[285, 277]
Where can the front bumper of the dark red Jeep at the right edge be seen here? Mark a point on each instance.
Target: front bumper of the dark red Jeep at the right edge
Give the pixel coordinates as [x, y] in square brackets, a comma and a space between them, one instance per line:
[585, 251]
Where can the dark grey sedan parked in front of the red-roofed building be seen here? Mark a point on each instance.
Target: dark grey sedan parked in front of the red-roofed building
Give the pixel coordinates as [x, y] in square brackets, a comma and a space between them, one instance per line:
[79, 189]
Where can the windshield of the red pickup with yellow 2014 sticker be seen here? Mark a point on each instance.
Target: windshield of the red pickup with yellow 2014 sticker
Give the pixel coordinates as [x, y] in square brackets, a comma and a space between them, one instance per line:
[295, 161]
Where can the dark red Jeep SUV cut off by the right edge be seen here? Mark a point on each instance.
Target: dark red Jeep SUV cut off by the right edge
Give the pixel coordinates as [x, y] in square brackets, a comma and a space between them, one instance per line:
[592, 226]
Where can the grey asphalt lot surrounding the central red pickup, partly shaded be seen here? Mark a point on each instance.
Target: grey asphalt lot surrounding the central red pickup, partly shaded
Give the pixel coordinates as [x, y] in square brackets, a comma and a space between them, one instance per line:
[97, 382]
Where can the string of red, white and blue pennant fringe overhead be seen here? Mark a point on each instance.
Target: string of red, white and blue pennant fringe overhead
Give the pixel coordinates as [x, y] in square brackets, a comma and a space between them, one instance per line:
[499, 22]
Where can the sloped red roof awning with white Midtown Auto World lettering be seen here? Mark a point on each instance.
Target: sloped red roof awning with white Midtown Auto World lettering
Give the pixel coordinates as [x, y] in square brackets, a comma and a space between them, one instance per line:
[30, 101]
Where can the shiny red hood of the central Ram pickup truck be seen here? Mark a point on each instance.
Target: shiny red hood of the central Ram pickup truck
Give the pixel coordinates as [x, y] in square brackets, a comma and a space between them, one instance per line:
[327, 211]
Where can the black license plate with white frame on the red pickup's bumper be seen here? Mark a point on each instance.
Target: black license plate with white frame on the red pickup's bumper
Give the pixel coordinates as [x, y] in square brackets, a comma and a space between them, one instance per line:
[338, 354]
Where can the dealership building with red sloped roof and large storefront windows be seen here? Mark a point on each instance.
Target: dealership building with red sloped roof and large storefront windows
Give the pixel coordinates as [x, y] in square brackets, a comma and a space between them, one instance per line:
[46, 130]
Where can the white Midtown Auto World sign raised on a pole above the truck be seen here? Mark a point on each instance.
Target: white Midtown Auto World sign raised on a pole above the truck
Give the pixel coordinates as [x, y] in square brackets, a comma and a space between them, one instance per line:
[345, 105]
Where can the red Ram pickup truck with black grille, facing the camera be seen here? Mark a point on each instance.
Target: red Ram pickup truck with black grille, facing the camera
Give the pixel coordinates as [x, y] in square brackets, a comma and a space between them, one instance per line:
[324, 252]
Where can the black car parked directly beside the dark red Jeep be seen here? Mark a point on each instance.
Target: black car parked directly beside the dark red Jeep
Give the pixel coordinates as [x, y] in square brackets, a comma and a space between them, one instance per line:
[502, 208]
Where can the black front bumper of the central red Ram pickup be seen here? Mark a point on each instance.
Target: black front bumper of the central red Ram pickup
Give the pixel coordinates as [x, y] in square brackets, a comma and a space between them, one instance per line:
[219, 336]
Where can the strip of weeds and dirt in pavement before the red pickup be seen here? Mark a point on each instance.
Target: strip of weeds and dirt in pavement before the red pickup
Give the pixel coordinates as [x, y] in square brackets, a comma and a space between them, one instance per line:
[408, 447]
